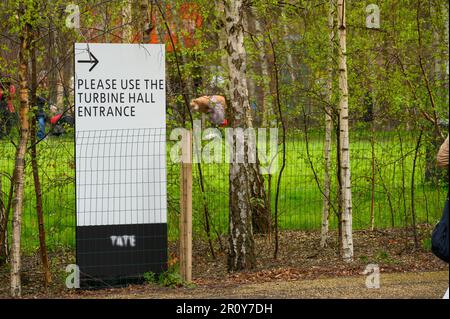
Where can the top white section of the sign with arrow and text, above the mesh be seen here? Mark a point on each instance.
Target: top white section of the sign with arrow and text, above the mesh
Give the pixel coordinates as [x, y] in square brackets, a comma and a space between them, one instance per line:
[119, 86]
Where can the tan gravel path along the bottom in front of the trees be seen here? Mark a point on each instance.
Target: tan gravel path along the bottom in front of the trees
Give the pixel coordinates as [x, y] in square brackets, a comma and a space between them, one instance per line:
[392, 285]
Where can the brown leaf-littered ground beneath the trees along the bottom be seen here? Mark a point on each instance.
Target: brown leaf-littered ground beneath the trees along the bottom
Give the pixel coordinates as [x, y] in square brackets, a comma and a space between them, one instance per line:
[300, 260]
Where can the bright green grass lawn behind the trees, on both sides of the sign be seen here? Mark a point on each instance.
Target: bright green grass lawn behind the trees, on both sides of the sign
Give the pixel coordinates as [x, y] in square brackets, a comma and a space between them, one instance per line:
[300, 201]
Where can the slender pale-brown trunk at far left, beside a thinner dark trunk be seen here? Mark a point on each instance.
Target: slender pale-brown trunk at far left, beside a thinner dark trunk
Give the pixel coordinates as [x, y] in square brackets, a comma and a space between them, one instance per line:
[19, 168]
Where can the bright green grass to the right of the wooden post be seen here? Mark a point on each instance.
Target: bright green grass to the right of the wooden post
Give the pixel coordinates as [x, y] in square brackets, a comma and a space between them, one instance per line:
[301, 201]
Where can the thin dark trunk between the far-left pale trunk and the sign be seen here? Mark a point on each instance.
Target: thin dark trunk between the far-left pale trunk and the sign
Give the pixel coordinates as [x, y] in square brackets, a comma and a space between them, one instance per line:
[37, 182]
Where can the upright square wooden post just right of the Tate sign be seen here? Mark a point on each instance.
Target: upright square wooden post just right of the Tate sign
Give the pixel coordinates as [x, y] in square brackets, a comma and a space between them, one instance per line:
[186, 207]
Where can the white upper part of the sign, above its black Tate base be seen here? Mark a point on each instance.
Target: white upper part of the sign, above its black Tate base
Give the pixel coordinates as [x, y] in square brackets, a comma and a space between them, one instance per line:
[120, 117]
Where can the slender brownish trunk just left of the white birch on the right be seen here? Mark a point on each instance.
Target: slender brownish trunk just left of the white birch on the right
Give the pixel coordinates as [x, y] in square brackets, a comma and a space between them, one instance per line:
[328, 130]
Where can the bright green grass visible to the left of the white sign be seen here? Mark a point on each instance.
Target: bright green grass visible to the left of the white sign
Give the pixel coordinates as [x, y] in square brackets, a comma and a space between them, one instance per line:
[57, 180]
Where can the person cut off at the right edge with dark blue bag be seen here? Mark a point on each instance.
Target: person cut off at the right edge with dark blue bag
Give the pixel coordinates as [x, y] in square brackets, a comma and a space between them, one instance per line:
[440, 234]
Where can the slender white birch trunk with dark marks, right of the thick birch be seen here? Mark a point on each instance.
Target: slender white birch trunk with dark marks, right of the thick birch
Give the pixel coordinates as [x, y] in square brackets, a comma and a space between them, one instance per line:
[347, 236]
